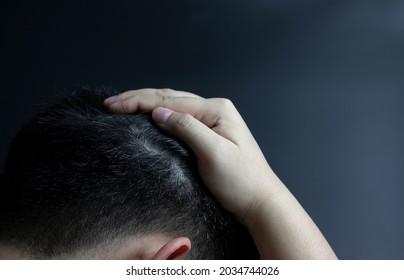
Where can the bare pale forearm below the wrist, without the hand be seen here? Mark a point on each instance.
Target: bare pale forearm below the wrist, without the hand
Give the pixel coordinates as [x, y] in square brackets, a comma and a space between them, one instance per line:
[282, 229]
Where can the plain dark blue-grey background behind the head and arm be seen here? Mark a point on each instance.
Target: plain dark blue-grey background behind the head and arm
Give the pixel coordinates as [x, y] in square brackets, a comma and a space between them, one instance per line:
[319, 82]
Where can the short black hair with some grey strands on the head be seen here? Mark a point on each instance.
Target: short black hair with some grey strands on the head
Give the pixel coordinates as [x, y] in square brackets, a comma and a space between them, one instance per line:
[77, 176]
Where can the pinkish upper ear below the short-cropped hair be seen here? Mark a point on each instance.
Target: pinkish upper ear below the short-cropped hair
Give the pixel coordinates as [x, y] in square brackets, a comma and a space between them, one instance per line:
[174, 249]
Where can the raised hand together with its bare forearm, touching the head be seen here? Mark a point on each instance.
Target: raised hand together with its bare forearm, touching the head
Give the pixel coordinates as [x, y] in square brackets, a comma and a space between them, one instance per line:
[233, 168]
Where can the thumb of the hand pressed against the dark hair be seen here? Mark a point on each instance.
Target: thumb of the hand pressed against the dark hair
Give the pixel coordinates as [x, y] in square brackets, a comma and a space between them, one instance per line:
[201, 139]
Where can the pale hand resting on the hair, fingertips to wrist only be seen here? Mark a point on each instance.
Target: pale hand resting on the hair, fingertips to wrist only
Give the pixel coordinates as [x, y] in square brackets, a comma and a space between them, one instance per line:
[230, 162]
